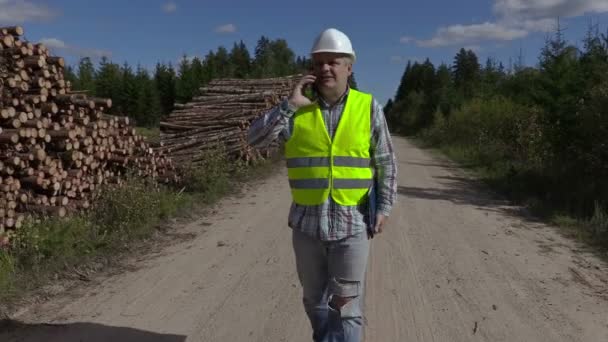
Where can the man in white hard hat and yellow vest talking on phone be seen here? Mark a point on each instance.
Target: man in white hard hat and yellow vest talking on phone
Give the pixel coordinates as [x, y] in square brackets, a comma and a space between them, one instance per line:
[342, 174]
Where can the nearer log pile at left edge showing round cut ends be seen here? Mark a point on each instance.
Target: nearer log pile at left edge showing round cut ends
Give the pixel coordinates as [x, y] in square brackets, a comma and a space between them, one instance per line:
[58, 146]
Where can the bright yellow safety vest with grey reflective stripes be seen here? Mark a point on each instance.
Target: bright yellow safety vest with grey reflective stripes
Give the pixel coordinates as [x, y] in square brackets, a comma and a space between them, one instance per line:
[318, 166]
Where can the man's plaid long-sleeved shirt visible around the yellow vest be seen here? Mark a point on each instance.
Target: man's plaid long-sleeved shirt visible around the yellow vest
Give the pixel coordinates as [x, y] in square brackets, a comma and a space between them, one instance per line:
[332, 221]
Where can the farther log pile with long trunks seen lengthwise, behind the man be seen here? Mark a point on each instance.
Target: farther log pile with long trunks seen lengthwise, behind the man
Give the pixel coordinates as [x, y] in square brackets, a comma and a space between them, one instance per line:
[221, 114]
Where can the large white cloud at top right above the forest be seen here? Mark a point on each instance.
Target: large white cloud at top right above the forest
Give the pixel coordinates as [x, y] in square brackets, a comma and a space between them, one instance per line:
[515, 19]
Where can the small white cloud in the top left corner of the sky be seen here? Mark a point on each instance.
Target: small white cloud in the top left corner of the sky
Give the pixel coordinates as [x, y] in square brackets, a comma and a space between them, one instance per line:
[21, 11]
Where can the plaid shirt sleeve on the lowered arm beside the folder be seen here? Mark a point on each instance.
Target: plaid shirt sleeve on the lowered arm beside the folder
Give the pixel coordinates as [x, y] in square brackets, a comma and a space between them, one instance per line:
[384, 161]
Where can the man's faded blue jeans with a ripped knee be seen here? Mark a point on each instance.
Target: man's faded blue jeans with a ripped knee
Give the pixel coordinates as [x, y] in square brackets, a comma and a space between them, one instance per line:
[328, 269]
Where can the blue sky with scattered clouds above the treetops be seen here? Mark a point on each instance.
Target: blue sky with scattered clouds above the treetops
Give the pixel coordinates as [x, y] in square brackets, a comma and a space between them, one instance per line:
[384, 34]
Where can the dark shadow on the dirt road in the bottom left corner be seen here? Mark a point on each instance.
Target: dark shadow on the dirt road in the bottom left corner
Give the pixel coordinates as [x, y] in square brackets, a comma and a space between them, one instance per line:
[13, 331]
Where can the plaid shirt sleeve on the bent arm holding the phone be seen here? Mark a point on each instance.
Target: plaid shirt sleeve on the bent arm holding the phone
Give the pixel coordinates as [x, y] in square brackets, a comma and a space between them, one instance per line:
[272, 125]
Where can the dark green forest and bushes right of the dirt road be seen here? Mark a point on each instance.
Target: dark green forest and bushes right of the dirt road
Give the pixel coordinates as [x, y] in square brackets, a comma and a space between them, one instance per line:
[538, 133]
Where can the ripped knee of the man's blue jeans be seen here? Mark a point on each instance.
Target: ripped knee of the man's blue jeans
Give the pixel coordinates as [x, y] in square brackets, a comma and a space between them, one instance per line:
[345, 296]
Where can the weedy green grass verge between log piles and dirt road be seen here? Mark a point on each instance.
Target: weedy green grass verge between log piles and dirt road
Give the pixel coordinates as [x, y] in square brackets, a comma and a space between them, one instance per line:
[47, 248]
